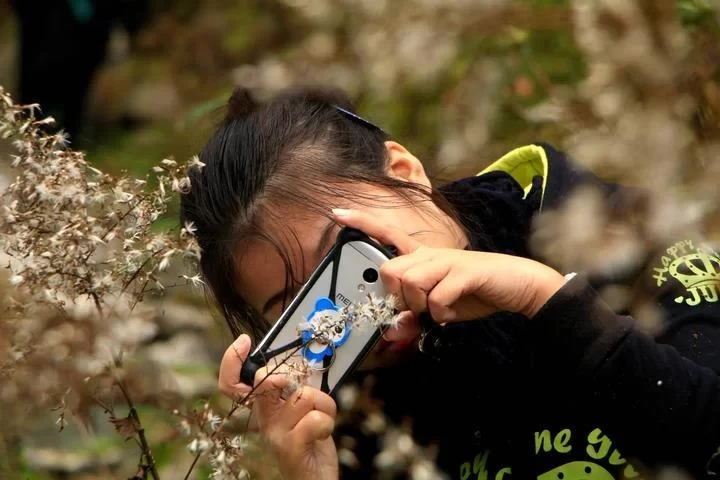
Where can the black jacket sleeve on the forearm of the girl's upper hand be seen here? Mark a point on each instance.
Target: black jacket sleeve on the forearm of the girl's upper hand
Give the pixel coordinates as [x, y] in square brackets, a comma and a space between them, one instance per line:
[659, 406]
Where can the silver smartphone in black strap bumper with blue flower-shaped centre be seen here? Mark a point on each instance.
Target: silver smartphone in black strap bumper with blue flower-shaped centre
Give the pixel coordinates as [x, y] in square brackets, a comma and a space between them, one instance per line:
[336, 282]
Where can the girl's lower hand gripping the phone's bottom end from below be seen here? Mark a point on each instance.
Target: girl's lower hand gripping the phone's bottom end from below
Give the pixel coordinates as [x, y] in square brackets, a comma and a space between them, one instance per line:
[298, 429]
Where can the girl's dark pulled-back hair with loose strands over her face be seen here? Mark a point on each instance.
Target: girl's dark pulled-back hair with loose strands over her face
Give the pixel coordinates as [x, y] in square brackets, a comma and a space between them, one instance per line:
[296, 149]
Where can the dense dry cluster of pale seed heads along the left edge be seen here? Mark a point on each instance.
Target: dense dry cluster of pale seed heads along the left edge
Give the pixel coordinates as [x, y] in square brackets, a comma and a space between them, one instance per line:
[79, 245]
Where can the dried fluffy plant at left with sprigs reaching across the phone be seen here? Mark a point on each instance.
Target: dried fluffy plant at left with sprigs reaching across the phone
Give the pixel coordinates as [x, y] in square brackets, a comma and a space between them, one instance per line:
[82, 255]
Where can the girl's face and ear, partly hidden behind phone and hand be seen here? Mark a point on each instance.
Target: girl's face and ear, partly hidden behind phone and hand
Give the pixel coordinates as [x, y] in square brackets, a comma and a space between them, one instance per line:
[261, 270]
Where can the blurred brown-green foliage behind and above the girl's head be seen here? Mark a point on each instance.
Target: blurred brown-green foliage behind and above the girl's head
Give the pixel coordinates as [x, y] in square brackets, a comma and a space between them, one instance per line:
[159, 91]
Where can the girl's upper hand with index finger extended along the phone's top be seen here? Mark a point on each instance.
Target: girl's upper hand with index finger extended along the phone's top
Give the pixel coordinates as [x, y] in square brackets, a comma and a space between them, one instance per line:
[454, 284]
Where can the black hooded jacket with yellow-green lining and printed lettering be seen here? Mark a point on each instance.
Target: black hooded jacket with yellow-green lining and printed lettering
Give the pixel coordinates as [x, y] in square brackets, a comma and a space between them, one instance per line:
[577, 392]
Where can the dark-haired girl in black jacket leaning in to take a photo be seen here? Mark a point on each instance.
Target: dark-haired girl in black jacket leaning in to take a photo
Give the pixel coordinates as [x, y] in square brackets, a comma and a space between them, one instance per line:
[527, 374]
